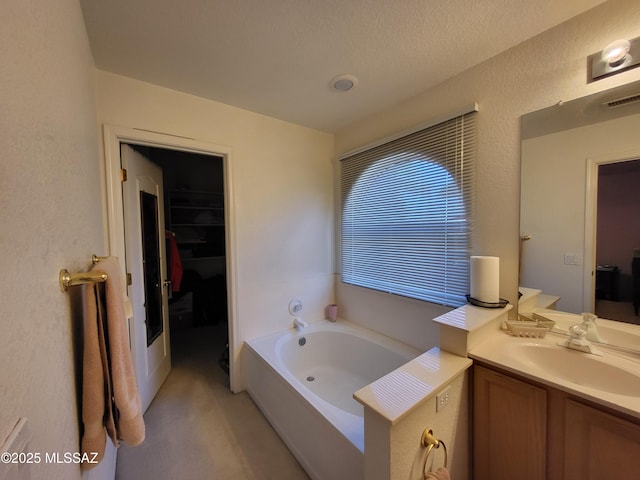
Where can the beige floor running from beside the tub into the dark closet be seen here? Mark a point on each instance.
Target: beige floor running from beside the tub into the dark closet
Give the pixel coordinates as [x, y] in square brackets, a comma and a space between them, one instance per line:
[197, 429]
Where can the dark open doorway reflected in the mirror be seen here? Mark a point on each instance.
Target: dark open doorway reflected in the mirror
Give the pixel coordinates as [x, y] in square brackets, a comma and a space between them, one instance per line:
[617, 275]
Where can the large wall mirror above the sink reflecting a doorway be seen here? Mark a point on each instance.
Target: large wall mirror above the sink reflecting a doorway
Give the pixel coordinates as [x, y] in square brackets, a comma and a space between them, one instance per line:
[580, 203]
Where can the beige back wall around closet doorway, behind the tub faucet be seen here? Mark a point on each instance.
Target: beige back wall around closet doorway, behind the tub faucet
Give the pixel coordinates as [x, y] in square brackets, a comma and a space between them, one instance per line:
[282, 205]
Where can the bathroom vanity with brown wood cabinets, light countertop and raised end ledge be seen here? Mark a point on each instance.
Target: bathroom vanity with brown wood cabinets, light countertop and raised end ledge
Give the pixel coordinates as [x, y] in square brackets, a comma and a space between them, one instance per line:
[542, 411]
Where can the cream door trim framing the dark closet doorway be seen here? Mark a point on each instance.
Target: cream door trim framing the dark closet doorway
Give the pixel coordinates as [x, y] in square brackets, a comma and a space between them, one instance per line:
[113, 136]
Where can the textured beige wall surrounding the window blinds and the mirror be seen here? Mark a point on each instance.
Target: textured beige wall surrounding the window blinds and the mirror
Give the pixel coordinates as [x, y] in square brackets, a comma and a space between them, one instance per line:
[535, 74]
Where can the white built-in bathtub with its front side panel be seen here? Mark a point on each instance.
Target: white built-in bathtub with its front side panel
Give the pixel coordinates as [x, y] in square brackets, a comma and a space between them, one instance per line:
[304, 383]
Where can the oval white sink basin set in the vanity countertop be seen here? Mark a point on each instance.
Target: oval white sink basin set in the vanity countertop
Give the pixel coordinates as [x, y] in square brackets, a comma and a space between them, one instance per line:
[579, 368]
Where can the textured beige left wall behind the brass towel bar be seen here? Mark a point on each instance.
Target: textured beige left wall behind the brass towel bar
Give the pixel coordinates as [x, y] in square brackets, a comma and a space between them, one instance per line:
[50, 217]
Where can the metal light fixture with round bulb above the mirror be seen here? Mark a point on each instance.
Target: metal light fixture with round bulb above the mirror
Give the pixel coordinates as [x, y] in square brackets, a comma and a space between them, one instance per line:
[618, 56]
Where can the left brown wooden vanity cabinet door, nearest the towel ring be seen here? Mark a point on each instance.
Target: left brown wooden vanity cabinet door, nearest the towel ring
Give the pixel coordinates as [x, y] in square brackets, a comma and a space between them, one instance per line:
[509, 440]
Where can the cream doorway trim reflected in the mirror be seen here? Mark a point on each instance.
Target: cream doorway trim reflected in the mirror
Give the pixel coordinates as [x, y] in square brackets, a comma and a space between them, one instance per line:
[591, 220]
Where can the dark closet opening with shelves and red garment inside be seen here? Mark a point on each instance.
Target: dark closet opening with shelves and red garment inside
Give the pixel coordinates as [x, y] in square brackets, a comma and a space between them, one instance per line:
[194, 220]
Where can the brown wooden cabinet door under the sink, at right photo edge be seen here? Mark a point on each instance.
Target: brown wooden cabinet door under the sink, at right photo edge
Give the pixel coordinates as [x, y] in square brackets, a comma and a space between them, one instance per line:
[599, 445]
